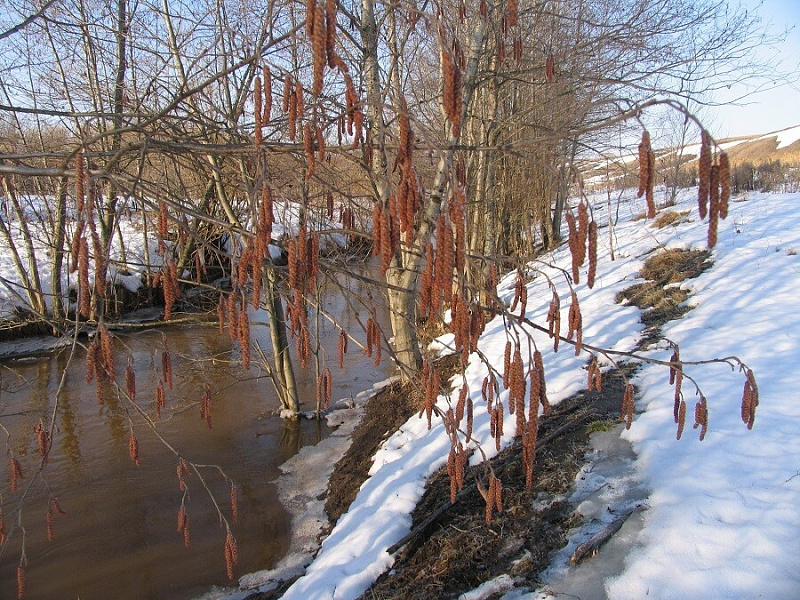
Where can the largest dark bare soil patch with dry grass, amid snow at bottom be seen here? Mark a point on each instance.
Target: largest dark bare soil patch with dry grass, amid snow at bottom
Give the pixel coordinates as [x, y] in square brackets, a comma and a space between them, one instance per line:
[457, 550]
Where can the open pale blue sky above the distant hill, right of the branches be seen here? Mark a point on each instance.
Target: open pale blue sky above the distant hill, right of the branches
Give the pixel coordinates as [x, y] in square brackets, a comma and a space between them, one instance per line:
[777, 105]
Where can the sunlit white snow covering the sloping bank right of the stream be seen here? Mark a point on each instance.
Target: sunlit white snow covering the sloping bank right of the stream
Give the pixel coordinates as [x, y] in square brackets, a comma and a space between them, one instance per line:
[721, 518]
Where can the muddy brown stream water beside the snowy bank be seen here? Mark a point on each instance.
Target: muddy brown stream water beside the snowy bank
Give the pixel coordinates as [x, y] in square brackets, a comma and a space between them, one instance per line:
[119, 539]
